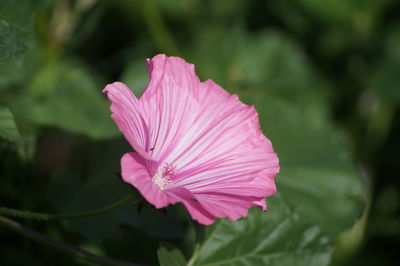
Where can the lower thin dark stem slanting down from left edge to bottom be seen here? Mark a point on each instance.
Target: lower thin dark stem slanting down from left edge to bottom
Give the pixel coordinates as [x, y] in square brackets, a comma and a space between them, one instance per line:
[25, 231]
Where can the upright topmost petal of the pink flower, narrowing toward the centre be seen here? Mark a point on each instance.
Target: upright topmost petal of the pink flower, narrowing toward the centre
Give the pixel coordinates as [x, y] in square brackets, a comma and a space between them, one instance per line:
[168, 103]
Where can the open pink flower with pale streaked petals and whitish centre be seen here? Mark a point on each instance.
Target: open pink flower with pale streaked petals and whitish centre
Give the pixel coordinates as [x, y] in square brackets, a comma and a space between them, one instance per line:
[195, 144]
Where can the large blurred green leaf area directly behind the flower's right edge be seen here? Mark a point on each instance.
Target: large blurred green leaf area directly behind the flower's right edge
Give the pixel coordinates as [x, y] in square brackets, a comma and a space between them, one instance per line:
[318, 175]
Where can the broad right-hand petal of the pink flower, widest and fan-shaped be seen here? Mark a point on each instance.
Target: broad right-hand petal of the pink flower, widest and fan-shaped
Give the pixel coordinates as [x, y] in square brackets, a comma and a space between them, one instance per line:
[225, 150]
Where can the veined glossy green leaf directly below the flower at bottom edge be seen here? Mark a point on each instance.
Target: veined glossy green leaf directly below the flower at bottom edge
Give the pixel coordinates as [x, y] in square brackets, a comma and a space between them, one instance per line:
[279, 237]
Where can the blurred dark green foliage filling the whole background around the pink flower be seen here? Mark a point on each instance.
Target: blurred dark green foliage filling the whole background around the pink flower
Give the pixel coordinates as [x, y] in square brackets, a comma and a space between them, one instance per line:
[323, 75]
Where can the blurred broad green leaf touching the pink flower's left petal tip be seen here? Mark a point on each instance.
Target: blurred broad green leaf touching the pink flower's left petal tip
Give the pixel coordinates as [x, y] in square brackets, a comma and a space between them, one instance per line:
[64, 95]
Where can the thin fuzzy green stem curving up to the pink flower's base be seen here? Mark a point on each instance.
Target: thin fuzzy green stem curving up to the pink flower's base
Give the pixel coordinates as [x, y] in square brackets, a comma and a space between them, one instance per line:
[45, 216]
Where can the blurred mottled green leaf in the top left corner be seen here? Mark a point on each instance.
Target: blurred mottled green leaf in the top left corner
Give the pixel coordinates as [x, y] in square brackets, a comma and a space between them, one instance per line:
[20, 52]
